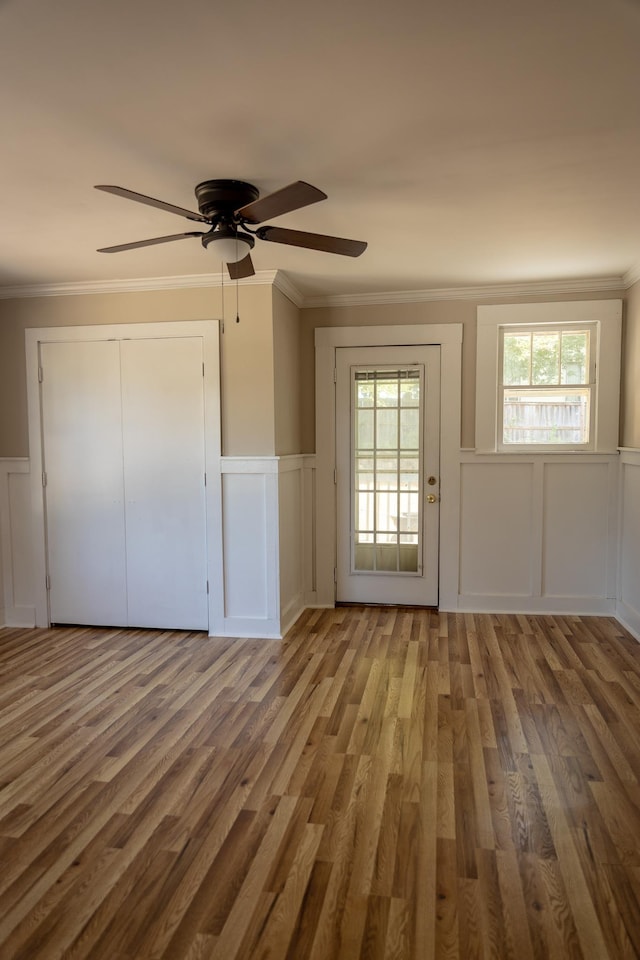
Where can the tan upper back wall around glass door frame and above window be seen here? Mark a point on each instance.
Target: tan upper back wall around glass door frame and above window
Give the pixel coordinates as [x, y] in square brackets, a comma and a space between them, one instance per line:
[440, 311]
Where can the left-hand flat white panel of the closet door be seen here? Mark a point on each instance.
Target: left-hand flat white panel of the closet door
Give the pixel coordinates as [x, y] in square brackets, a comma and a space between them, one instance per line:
[82, 451]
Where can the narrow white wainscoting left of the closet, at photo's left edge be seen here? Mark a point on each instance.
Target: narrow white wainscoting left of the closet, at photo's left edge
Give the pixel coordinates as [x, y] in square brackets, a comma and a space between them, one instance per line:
[17, 607]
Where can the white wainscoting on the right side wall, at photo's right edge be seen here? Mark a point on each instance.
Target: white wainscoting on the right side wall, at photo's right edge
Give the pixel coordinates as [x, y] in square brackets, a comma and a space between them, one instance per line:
[628, 597]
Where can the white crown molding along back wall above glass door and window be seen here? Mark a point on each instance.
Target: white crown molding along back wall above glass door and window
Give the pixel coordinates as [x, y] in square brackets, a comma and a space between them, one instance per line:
[481, 292]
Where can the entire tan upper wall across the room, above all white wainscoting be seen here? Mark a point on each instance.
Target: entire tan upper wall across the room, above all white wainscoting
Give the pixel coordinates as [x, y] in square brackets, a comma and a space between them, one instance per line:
[268, 370]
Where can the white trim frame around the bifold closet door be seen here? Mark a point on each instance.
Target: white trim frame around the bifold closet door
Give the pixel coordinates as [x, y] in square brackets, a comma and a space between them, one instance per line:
[208, 331]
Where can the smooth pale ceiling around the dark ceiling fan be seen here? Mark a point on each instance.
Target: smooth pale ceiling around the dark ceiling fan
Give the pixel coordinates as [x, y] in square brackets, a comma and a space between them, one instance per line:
[468, 141]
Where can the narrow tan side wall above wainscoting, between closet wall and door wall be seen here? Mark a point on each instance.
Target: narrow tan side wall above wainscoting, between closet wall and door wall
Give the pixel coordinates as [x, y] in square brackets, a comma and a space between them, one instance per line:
[286, 374]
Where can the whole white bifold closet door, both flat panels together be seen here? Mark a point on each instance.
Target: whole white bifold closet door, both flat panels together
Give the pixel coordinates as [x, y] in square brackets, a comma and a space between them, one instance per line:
[124, 459]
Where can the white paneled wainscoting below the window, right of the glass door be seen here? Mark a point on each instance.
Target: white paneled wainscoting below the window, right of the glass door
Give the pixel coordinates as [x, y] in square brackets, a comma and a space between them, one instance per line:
[538, 533]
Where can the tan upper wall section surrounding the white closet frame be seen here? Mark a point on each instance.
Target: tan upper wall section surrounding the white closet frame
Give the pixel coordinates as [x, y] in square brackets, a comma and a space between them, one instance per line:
[248, 426]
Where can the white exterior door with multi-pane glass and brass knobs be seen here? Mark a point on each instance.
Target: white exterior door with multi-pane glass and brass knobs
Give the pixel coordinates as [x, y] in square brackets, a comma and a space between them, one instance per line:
[387, 474]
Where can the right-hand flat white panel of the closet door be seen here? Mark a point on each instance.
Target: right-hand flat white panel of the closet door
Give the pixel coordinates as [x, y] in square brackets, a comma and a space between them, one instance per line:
[164, 457]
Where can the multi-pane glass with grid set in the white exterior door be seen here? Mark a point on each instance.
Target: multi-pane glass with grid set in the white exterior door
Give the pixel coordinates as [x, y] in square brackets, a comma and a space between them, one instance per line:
[386, 469]
